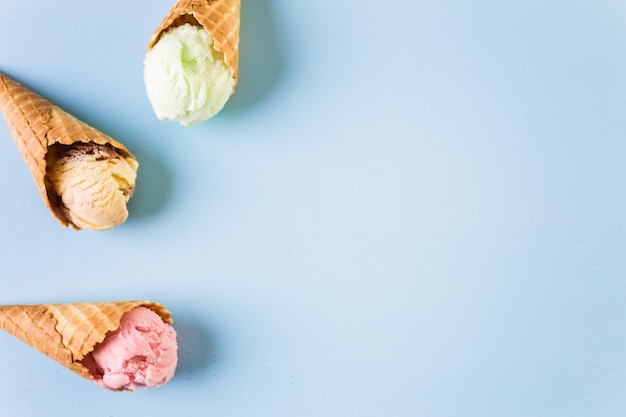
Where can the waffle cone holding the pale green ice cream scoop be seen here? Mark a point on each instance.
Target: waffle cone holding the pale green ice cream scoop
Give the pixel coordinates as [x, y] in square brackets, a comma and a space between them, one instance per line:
[221, 18]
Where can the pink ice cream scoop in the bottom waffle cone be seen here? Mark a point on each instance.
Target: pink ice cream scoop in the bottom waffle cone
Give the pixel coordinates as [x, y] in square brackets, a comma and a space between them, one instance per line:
[141, 353]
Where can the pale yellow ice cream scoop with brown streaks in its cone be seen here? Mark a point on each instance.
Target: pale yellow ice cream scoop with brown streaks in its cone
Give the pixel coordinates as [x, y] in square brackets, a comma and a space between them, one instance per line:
[90, 183]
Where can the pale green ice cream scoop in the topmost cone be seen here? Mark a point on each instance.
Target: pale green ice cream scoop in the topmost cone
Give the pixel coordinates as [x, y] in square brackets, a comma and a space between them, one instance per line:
[186, 79]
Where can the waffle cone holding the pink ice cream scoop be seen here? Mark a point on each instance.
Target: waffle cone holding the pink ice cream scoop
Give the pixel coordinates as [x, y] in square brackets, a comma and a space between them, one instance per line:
[68, 332]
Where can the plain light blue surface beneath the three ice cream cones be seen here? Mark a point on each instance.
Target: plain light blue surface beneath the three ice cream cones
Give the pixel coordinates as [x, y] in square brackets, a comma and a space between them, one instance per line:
[408, 209]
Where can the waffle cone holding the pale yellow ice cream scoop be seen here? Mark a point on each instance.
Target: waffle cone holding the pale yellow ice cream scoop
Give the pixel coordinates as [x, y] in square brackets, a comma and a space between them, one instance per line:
[36, 124]
